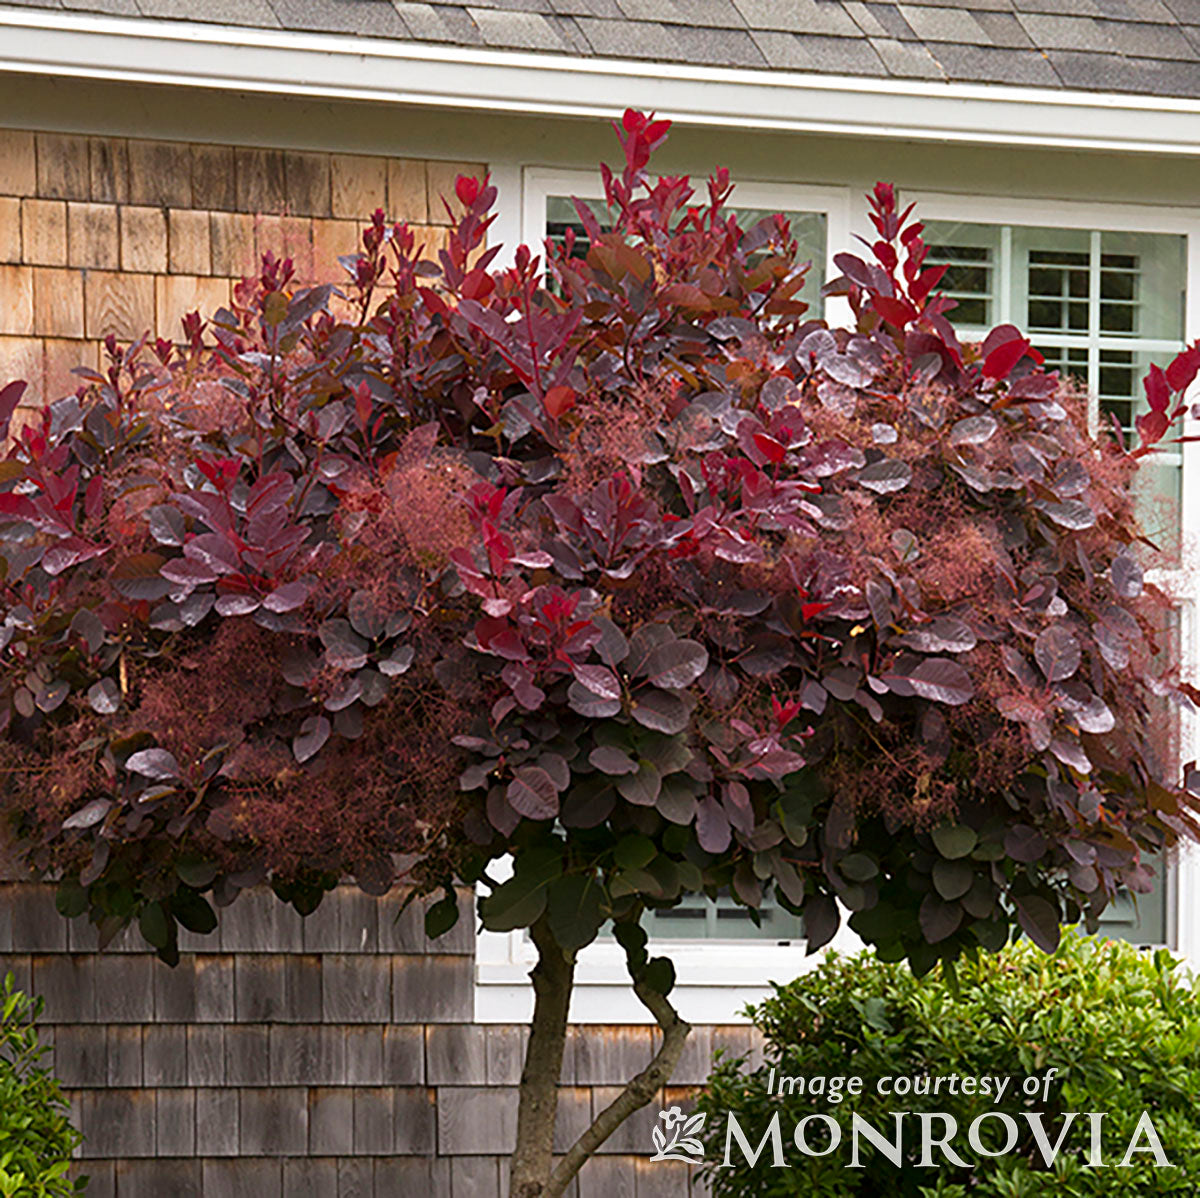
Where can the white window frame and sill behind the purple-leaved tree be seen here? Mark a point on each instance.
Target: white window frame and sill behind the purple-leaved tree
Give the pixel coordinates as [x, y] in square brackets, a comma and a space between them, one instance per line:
[718, 979]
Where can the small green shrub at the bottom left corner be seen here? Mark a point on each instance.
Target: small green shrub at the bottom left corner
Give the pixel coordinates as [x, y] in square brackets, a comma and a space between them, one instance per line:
[37, 1137]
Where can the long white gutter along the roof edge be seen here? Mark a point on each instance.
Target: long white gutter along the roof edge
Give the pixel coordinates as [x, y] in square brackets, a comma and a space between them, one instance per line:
[37, 41]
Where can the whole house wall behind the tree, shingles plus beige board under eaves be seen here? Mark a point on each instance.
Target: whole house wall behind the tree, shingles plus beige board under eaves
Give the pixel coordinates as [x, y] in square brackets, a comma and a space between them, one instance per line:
[334, 1056]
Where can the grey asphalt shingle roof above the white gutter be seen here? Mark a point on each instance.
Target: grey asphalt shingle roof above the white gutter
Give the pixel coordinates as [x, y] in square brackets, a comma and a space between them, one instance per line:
[1129, 46]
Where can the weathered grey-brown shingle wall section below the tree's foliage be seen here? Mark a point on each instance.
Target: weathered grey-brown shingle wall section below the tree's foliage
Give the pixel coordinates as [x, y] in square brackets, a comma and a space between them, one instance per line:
[329, 1057]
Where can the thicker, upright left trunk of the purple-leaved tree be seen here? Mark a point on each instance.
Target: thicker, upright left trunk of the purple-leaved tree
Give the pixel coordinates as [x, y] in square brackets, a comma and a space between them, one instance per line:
[554, 979]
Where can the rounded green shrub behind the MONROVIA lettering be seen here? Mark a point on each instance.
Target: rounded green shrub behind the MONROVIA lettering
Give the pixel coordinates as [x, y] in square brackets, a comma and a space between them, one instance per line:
[1121, 1027]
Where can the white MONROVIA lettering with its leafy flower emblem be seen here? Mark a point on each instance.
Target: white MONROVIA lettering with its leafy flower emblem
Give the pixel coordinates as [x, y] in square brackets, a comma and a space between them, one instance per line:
[820, 1135]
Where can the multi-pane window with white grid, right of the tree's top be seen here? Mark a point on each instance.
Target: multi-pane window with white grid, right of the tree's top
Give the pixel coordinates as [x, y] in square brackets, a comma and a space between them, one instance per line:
[1101, 307]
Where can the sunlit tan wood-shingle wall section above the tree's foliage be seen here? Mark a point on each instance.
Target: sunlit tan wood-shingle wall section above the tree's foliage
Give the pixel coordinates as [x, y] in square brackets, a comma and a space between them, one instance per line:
[103, 235]
